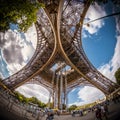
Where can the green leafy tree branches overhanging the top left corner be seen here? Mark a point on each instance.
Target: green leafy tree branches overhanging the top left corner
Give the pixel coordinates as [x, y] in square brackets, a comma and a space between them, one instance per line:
[20, 12]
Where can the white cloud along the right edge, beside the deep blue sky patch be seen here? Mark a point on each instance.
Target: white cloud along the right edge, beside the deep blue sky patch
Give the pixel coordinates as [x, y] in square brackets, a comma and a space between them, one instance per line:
[110, 68]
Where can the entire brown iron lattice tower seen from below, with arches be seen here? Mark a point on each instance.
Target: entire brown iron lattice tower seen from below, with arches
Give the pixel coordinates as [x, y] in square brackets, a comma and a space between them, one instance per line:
[59, 62]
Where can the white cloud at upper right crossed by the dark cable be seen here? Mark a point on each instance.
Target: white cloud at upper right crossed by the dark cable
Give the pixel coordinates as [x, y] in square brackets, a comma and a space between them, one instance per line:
[95, 11]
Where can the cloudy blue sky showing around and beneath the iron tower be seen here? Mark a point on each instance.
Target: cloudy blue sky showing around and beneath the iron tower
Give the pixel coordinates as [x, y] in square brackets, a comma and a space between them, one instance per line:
[101, 43]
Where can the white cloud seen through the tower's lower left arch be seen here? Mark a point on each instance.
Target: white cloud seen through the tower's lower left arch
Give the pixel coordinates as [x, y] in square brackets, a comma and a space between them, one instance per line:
[30, 90]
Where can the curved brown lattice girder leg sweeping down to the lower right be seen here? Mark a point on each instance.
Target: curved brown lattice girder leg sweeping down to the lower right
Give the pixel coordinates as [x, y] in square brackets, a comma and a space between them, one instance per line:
[72, 45]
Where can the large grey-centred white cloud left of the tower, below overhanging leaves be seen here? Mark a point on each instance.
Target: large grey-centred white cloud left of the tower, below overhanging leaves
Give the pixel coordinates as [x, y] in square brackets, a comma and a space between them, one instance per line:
[17, 48]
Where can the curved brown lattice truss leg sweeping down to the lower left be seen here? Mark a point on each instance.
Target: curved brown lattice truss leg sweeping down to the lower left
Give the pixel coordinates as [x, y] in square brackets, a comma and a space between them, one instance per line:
[45, 46]
